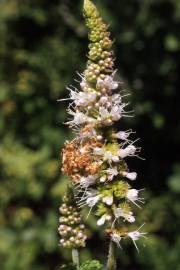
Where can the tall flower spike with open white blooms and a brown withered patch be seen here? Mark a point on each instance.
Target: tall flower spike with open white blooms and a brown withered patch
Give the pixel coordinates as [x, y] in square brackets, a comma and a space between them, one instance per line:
[96, 159]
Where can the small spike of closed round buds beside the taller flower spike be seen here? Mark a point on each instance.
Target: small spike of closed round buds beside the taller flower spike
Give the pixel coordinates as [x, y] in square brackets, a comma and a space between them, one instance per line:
[71, 229]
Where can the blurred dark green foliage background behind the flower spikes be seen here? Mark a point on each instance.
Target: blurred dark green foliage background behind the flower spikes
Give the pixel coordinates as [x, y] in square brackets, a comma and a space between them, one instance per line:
[42, 45]
